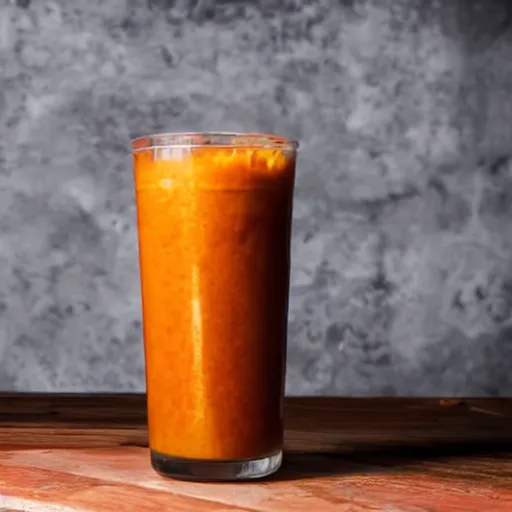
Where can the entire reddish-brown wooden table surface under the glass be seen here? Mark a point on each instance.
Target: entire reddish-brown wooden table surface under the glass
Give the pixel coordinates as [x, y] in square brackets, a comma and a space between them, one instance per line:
[89, 453]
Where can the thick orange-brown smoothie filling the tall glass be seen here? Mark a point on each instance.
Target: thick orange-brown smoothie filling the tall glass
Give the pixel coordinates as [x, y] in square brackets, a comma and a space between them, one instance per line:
[214, 239]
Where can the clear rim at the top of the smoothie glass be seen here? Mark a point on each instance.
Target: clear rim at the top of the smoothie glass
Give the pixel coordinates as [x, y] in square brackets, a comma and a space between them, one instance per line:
[212, 139]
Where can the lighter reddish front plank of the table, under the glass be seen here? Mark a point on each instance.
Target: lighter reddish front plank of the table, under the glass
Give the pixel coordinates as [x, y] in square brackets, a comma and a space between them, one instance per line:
[104, 479]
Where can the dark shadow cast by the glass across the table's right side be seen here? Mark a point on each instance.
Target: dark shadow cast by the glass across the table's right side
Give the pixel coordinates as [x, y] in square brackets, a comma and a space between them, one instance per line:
[463, 461]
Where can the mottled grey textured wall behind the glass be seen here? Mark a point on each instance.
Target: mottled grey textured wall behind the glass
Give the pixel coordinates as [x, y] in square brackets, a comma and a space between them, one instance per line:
[402, 257]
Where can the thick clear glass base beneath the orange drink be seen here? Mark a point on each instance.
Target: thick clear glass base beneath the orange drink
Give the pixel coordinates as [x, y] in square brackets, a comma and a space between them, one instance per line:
[213, 470]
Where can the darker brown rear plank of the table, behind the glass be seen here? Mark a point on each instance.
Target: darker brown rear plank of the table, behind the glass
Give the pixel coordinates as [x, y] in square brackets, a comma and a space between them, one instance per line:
[329, 425]
